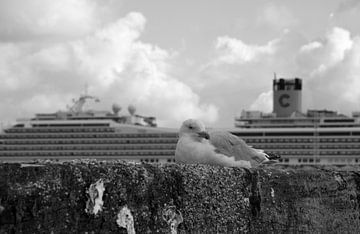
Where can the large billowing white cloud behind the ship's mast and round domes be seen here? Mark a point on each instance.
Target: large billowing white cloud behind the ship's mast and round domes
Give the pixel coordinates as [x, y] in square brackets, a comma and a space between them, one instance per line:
[113, 61]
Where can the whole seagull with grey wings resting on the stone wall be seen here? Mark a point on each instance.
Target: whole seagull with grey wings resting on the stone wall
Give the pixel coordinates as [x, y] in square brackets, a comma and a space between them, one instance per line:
[196, 145]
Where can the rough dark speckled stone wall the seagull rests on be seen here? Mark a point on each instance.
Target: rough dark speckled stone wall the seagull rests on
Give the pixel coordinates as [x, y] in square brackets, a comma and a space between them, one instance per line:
[53, 197]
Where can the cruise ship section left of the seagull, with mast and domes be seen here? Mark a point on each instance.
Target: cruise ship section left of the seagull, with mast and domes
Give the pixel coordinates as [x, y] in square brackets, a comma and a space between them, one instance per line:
[87, 134]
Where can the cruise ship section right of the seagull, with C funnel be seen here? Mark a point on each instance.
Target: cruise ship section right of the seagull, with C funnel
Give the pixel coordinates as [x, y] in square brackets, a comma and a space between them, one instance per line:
[314, 137]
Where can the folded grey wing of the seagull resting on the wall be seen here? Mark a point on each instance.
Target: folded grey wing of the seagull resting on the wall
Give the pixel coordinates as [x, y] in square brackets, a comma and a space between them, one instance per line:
[231, 145]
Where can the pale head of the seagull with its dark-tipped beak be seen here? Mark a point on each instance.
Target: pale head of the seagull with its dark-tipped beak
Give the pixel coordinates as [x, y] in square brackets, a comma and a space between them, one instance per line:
[193, 128]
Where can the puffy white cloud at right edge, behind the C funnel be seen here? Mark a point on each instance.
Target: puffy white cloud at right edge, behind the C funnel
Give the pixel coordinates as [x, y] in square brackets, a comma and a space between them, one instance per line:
[334, 69]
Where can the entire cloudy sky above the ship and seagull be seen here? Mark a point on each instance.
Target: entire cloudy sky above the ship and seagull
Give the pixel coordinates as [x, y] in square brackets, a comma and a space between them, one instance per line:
[177, 59]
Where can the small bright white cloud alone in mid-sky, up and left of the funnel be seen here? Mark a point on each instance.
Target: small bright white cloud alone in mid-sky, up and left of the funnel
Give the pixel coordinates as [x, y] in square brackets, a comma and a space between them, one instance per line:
[235, 51]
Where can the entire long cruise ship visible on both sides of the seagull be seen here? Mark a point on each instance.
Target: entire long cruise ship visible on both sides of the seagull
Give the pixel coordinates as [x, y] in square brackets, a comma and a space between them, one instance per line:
[314, 137]
